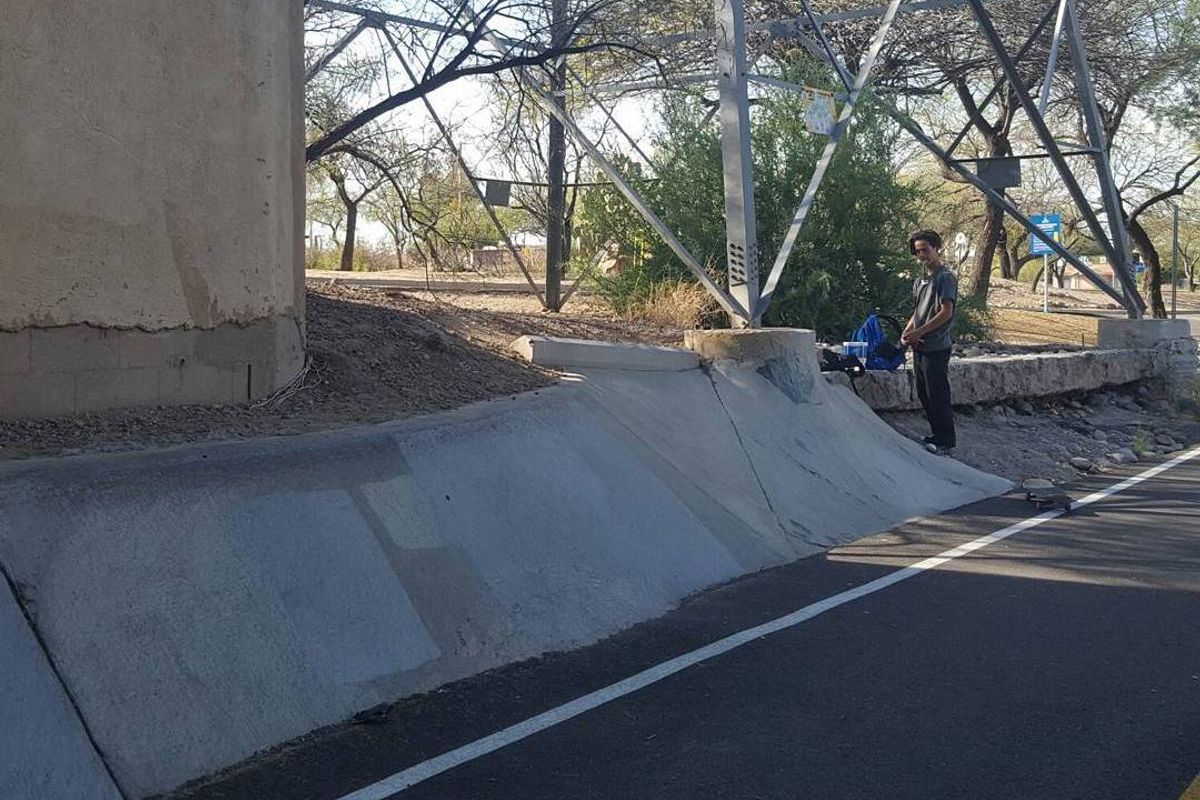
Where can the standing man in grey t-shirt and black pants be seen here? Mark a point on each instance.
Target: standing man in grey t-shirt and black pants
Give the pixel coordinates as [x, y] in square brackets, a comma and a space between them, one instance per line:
[935, 294]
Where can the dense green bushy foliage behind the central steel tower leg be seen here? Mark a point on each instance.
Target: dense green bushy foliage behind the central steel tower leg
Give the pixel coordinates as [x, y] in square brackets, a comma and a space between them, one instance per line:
[853, 255]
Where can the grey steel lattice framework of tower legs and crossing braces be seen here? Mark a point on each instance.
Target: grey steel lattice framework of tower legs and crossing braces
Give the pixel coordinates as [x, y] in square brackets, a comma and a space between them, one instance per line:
[747, 305]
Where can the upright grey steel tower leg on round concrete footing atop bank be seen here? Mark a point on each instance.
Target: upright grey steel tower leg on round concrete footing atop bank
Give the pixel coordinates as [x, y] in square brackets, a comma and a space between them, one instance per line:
[741, 222]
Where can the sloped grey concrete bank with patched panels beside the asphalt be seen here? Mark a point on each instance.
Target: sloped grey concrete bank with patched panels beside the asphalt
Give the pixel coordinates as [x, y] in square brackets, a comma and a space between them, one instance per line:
[207, 603]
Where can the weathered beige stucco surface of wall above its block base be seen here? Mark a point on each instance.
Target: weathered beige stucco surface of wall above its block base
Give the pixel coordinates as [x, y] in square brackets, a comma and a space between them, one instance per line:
[152, 173]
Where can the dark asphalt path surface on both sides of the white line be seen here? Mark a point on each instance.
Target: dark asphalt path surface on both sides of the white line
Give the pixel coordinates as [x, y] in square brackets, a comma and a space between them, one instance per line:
[1061, 663]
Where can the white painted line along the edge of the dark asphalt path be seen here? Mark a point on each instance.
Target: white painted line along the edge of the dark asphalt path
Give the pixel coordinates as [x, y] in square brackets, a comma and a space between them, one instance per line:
[425, 771]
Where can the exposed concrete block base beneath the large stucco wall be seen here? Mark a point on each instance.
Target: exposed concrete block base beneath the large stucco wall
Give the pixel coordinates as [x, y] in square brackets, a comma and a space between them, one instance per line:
[81, 369]
